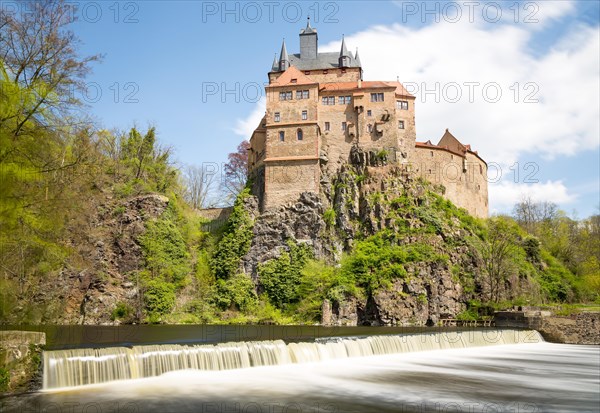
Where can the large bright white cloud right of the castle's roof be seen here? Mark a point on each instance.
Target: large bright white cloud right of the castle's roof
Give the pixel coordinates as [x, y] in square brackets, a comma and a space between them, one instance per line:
[563, 83]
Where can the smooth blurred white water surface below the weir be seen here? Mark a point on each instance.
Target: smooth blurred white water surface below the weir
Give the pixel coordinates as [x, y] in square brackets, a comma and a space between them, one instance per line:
[539, 377]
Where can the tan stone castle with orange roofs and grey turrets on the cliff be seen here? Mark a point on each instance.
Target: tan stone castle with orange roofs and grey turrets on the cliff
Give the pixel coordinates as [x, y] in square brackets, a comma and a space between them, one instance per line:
[319, 108]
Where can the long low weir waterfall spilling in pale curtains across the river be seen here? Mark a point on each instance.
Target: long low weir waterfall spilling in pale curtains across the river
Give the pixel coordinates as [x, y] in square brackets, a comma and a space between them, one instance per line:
[79, 367]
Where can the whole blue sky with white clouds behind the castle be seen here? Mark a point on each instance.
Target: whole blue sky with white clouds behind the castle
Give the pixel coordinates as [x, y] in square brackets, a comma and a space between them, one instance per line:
[193, 69]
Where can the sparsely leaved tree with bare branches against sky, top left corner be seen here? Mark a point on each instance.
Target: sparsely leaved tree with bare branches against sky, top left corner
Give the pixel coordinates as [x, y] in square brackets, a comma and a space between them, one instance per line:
[40, 55]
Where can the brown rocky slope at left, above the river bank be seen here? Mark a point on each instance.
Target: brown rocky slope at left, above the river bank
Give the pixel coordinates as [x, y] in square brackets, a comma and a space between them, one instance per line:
[98, 275]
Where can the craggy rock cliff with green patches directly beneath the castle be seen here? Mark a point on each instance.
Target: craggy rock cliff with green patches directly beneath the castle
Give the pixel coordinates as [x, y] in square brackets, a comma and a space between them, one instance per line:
[363, 199]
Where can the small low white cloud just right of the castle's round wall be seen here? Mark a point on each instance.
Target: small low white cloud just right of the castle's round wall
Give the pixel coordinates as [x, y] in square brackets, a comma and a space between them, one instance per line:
[504, 195]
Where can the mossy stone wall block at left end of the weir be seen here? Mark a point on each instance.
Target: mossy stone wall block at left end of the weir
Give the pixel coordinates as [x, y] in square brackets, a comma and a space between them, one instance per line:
[20, 357]
